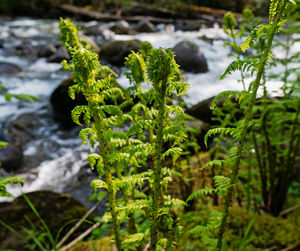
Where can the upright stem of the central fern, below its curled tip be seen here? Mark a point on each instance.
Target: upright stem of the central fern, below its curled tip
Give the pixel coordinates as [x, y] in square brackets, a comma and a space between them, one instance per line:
[157, 168]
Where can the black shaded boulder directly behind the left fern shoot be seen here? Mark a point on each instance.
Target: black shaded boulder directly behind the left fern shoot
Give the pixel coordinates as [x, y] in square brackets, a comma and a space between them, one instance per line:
[62, 104]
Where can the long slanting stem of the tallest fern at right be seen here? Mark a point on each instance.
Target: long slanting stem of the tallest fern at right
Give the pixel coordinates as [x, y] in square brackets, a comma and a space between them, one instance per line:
[248, 117]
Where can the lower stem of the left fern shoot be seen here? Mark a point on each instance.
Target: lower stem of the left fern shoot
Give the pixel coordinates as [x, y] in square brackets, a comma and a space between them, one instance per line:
[108, 176]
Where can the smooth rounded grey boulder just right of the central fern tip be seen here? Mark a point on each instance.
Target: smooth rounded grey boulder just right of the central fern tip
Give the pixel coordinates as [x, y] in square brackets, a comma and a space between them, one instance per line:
[189, 57]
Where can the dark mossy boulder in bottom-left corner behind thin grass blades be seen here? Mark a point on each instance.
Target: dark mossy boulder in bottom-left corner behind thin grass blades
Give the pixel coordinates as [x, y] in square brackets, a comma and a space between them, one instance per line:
[55, 209]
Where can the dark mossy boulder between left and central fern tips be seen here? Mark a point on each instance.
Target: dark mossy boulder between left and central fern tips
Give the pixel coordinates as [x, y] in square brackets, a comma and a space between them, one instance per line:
[115, 52]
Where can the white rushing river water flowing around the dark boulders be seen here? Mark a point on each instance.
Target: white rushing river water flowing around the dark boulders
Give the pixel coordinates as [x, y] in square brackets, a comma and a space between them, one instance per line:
[54, 160]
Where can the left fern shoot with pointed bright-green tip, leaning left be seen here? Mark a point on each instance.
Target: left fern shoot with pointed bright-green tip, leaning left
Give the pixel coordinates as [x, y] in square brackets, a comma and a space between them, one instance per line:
[86, 73]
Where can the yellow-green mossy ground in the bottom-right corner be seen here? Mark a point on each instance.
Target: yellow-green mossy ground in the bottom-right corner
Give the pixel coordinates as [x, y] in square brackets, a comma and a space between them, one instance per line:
[267, 231]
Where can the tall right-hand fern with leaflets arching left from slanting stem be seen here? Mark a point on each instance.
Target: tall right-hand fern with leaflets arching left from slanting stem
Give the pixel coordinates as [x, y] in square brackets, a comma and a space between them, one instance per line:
[246, 99]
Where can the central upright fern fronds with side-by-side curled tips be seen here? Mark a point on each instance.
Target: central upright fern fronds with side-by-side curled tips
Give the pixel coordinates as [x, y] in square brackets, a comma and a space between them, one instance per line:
[162, 123]
